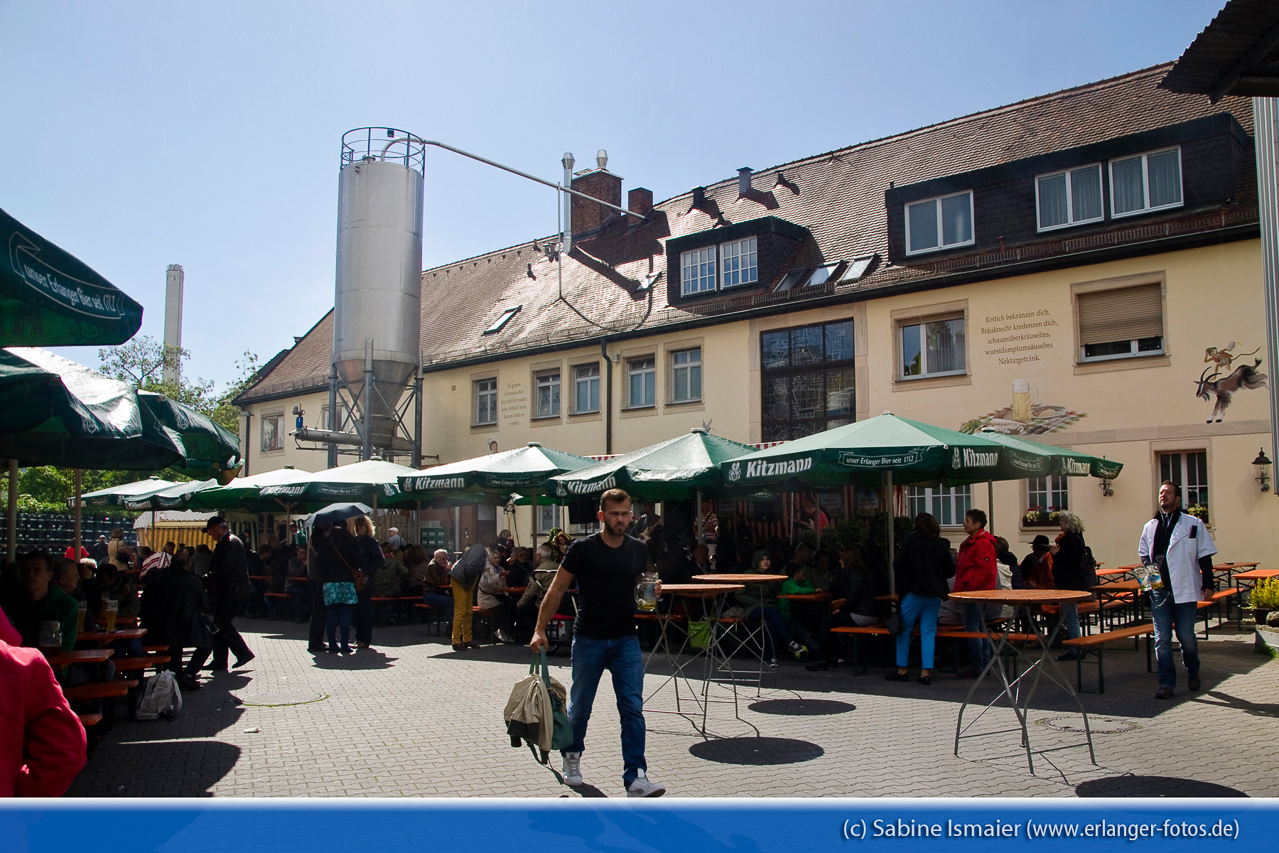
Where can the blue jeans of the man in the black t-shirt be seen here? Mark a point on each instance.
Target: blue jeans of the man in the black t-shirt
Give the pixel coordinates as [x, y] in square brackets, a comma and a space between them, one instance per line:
[622, 658]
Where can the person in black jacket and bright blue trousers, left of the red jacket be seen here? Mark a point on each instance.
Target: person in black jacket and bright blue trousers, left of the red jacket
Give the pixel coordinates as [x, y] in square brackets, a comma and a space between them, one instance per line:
[922, 570]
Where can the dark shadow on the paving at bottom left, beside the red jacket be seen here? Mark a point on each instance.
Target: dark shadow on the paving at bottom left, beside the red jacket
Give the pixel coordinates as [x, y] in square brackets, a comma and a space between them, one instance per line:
[141, 769]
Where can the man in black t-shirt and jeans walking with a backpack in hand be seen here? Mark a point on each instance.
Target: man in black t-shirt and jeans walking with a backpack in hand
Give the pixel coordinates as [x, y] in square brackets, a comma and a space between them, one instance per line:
[607, 567]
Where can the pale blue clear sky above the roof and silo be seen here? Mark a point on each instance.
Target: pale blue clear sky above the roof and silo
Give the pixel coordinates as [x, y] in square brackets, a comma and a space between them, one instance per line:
[139, 135]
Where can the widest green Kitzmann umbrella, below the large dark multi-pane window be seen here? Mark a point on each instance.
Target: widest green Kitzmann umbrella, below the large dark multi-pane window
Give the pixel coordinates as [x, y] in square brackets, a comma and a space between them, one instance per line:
[863, 453]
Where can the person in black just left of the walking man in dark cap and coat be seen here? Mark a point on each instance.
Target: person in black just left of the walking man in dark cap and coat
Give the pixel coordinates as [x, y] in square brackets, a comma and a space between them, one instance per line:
[173, 612]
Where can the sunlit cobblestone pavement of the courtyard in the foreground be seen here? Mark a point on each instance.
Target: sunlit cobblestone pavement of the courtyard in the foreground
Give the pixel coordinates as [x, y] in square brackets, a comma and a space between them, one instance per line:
[412, 718]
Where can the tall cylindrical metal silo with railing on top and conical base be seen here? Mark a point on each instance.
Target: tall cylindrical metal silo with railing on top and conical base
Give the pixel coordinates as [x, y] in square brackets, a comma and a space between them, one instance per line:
[378, 311]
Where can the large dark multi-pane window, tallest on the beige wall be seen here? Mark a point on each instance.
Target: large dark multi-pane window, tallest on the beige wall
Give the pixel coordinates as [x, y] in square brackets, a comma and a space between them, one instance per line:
[808, 380]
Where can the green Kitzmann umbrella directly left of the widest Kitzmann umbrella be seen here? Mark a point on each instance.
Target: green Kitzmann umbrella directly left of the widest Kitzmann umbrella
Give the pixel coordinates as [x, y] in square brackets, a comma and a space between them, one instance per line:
[671, 470]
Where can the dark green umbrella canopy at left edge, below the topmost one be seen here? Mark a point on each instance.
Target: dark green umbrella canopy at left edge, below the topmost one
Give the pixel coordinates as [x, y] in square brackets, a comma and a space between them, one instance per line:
[56, 412]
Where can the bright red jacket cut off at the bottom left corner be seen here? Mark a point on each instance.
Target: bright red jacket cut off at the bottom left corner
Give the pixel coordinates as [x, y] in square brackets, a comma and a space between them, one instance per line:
[42, 740]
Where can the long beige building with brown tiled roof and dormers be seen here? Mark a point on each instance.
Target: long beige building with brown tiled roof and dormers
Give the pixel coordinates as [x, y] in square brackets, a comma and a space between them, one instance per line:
[1081, 269]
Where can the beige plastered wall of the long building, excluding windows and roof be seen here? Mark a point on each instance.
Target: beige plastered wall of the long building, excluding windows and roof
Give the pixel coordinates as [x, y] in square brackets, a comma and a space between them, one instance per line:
[1129, 410]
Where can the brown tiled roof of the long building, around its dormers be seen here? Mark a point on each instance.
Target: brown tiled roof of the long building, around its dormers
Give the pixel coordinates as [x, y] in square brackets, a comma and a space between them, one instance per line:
[838, 196]
